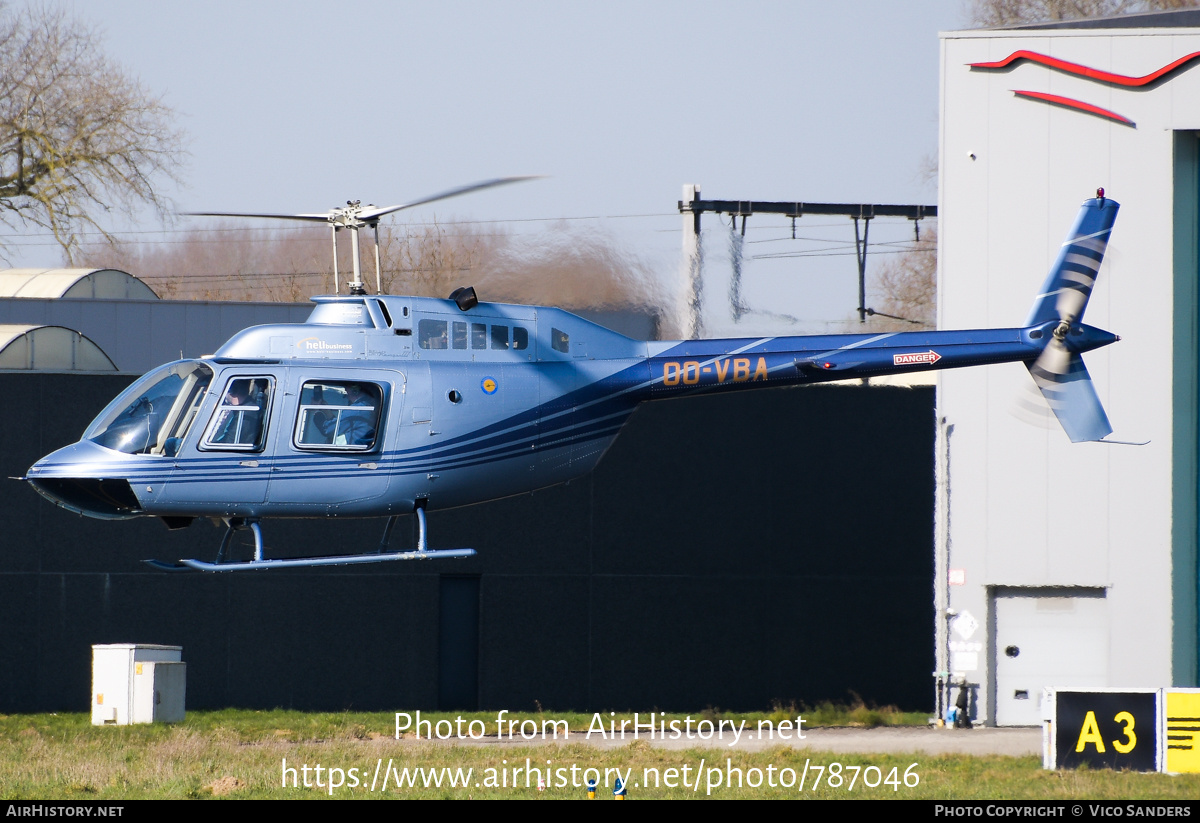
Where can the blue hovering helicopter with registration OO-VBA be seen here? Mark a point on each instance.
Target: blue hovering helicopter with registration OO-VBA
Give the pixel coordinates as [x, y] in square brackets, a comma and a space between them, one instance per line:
[383, 406]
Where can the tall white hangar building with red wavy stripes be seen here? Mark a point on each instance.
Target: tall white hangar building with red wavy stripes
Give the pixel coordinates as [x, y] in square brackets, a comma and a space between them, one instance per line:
[1060, 564]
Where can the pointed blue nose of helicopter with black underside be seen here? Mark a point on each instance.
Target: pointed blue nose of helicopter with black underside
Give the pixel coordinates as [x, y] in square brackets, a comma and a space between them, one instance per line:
[85, 478]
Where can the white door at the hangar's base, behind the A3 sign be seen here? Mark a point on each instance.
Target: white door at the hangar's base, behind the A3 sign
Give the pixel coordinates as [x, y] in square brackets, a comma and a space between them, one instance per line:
[1046, 638]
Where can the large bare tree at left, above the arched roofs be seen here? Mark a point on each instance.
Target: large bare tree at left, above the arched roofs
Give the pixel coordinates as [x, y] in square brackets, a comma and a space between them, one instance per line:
[79, 136]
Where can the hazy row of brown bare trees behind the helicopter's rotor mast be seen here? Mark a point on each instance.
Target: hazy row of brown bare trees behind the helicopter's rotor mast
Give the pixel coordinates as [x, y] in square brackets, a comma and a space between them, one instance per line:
[226, 261]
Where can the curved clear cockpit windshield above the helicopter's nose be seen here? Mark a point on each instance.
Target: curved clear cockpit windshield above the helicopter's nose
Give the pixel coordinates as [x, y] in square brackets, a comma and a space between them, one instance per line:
[154, 414]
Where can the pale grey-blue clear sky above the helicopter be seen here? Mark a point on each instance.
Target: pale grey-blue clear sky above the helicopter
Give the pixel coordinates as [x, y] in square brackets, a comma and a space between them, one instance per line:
[302, 106]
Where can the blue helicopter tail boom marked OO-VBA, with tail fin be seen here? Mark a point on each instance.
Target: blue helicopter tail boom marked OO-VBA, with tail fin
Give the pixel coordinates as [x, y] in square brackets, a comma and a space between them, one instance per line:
[1051, 345]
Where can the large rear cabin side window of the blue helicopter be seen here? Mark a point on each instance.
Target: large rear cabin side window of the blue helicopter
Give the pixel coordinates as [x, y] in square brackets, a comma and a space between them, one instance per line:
[339, 416]
